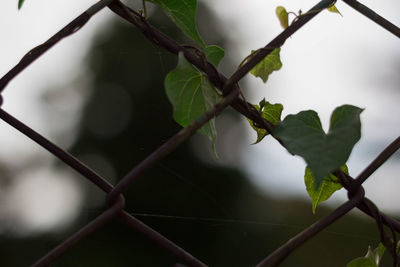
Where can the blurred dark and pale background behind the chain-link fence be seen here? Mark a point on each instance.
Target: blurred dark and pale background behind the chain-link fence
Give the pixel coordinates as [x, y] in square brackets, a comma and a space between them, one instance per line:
[99, 94]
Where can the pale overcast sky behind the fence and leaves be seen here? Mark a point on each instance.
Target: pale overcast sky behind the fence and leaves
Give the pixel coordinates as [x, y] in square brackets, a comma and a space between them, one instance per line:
[331, 61]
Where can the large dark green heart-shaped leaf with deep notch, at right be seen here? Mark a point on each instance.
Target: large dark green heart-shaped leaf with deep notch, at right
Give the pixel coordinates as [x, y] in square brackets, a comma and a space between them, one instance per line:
[303, 135]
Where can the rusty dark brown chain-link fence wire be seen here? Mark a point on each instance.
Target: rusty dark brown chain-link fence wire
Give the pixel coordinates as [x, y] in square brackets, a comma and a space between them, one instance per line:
[231, 91]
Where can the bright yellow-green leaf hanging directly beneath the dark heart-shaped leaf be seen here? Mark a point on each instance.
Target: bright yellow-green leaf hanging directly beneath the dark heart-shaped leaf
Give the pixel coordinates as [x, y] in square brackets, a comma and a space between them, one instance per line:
[330, 184]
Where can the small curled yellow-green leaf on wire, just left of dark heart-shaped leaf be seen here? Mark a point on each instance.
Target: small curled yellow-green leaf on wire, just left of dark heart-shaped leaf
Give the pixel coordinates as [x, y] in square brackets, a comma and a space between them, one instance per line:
[270, 112]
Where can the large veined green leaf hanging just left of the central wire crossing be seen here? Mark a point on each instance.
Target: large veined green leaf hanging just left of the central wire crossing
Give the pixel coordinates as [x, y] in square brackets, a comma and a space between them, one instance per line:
[191, 94]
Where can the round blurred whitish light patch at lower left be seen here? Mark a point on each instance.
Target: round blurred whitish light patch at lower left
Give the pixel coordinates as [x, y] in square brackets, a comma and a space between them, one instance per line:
[41, 200]
